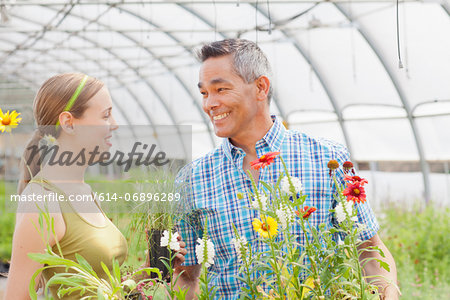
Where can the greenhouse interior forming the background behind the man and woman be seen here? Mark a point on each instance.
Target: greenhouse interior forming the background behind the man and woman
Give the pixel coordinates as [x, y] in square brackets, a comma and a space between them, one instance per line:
[373, 76]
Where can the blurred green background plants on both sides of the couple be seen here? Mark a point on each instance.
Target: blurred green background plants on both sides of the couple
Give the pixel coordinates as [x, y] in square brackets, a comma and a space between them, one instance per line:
[417, 238]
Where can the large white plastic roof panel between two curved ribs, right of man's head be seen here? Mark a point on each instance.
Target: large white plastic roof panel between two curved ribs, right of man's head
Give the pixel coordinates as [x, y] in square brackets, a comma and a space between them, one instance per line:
[348, 66]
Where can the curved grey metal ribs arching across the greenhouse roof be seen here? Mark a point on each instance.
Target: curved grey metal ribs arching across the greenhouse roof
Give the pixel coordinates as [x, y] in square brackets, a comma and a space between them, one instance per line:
[319, 74]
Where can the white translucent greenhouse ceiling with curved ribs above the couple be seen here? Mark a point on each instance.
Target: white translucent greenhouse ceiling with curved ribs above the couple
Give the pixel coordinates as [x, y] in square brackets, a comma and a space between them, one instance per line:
[336, 64]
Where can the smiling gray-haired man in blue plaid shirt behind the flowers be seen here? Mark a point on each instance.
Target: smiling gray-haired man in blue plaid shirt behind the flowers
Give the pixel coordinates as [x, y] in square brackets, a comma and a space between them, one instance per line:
[236, 87]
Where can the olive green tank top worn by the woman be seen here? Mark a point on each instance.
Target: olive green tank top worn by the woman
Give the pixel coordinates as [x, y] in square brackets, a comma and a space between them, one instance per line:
[96, 244]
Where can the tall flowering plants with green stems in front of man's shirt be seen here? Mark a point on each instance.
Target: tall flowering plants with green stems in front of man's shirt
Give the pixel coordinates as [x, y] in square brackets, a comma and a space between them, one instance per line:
[320, 268]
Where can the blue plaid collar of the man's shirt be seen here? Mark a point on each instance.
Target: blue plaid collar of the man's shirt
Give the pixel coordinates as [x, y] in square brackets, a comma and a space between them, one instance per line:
[272, 139]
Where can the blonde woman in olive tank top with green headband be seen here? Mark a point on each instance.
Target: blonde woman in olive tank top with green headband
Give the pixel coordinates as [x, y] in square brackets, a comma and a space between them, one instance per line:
[77, 111]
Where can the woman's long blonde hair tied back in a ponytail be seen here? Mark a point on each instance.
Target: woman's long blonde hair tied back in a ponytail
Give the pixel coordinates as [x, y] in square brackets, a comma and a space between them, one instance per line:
[50, 101]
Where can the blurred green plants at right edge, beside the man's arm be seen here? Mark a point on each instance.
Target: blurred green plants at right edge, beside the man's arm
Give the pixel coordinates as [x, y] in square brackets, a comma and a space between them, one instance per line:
[419, 241]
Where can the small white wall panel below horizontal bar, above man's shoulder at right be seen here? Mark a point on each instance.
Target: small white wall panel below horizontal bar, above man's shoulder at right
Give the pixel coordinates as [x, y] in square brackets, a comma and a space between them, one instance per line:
[382, 140]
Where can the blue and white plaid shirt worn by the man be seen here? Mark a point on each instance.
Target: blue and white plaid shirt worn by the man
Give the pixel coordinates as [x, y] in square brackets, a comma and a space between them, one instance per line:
[217, 178]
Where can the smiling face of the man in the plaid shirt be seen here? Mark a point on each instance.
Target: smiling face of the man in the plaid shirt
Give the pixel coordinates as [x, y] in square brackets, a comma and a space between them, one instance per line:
[228, 100]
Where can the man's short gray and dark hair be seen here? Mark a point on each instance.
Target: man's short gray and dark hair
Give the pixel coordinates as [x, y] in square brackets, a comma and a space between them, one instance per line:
[249, 61]
